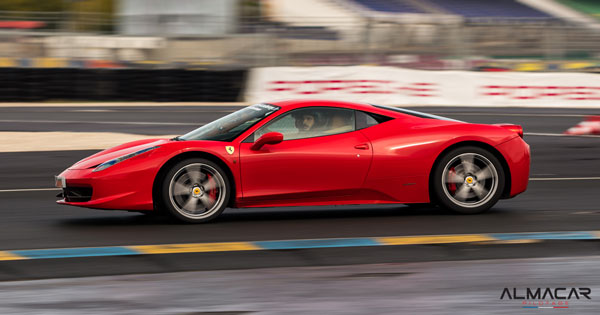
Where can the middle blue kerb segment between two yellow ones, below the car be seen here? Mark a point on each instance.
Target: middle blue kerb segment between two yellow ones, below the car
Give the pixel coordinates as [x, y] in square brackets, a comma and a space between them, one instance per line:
[319, 243]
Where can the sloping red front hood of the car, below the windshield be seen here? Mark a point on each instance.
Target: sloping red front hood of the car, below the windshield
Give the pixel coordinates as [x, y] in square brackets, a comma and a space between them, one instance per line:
[115, 152]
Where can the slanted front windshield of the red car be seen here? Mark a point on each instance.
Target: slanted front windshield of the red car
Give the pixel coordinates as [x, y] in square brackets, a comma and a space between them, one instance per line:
[229, 127]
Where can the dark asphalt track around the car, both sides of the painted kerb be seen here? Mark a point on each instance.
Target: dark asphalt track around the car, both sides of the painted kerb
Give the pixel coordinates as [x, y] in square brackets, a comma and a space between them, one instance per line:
[564, 196]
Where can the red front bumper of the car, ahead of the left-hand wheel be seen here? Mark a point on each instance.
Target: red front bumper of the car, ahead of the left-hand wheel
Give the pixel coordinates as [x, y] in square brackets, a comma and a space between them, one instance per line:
[119, 191]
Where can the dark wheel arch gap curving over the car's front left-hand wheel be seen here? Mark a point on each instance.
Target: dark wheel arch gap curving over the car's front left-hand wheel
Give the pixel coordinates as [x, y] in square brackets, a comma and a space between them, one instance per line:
[187, 155]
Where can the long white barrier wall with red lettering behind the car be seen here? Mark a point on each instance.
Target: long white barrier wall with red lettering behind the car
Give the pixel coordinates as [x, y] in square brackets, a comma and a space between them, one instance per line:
[396, 86]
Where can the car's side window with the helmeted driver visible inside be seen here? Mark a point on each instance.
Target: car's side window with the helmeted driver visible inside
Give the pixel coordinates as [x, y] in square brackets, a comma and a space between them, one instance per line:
[311, 122]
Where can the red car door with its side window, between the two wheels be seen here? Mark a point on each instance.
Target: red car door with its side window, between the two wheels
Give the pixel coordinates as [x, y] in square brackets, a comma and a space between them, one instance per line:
[329, 160]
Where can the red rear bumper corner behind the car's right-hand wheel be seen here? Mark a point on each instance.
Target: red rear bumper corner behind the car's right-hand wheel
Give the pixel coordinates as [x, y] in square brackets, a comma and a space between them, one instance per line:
[518, 157]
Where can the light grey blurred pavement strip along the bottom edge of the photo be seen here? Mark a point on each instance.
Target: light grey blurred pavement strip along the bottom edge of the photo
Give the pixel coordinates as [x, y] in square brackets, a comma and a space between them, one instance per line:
[462, 287]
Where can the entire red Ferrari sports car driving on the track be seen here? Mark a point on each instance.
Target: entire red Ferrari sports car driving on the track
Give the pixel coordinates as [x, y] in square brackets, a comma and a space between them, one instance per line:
[304, 153]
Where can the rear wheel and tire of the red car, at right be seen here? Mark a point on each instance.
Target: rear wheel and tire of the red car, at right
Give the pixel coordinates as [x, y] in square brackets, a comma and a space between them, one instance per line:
[468, 180]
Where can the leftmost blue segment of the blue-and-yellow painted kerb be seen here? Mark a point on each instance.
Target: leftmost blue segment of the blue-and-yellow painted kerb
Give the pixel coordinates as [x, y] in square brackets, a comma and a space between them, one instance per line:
[75, 252]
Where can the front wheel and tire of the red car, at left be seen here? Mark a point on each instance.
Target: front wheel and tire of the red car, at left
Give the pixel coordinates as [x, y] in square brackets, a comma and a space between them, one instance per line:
[195, 190]
